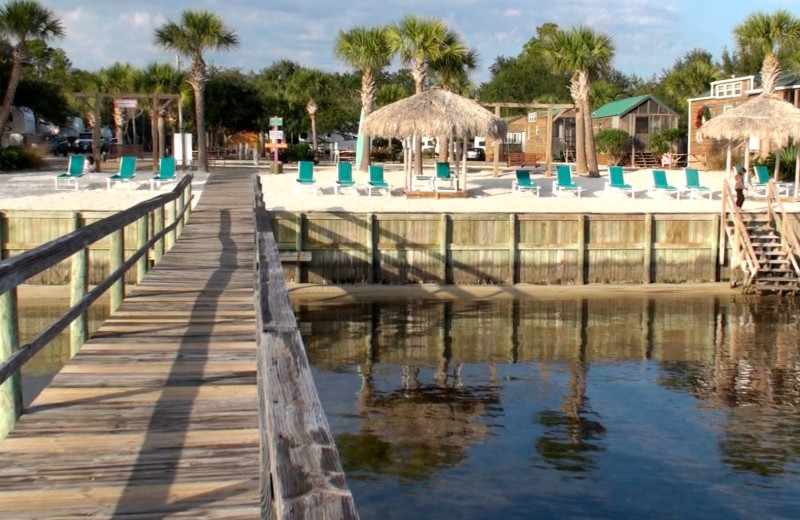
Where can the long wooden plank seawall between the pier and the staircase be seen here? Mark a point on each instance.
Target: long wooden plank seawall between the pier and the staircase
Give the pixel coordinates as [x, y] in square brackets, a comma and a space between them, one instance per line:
[488, 248]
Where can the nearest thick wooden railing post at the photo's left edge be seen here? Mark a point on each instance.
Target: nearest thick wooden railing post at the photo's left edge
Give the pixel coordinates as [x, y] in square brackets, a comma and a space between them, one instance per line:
[11, 390]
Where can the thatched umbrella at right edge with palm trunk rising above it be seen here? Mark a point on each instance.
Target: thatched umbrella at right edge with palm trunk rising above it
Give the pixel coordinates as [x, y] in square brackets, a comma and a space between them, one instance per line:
[765, 116]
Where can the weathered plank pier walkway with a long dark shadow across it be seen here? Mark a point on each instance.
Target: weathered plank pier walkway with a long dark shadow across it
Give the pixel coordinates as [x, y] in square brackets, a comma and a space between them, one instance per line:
[157, 415]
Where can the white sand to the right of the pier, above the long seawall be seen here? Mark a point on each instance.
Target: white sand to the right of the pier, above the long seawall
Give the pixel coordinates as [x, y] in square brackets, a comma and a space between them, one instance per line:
[488, 194]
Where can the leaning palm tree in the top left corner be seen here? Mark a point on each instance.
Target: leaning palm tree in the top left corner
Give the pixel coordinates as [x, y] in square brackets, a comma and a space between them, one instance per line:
[23, 21]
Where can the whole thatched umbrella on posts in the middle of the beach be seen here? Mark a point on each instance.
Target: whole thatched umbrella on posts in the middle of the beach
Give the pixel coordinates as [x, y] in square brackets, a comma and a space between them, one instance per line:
[433, 113]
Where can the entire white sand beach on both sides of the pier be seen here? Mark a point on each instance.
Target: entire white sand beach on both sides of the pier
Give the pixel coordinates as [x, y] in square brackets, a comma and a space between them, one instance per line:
[487, 194]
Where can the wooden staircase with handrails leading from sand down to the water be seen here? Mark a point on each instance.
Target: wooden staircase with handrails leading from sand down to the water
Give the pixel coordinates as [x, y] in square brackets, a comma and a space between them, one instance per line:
[763, 246]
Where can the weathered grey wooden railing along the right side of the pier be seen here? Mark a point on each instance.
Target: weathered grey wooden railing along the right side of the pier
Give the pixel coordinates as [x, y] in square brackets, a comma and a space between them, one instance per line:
[302, 475]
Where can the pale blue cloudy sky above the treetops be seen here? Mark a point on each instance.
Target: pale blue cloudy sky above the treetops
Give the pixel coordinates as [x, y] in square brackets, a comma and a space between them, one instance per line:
[649, 35]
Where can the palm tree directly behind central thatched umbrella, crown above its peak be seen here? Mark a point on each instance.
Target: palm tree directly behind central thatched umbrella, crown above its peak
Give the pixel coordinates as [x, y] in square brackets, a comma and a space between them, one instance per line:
[419, 42]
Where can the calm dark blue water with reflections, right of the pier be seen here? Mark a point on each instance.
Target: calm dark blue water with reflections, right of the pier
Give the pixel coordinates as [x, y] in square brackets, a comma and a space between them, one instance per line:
[660, 408]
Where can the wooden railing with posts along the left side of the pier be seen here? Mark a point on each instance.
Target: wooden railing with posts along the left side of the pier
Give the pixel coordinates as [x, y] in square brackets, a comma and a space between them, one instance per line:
[168, 213]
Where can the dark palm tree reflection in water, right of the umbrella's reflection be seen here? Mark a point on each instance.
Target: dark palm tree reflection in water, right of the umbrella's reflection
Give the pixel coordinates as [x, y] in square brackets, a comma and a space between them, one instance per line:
[572, 433]
